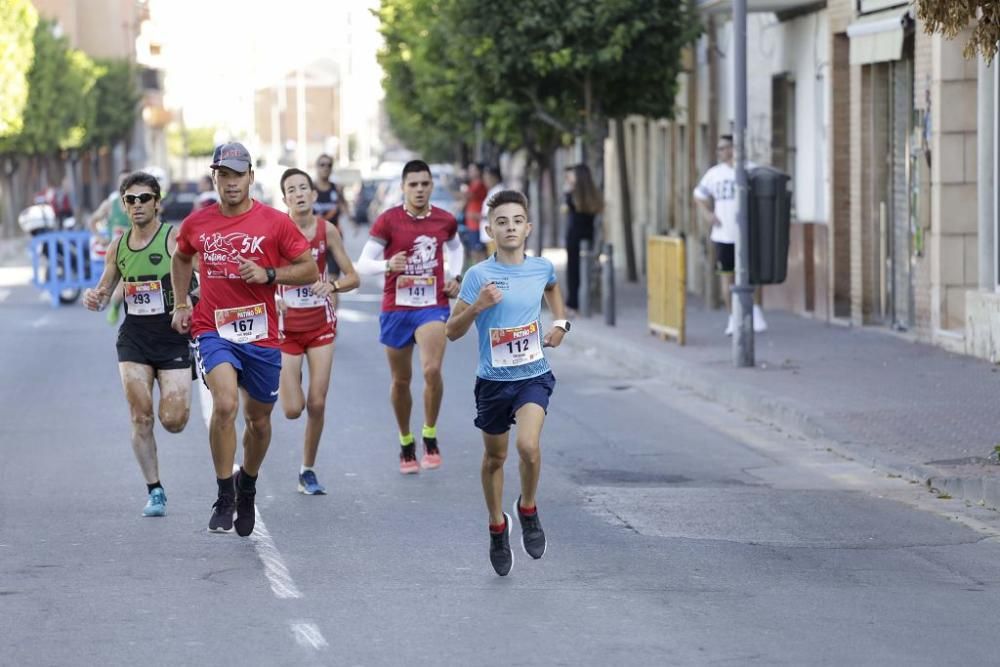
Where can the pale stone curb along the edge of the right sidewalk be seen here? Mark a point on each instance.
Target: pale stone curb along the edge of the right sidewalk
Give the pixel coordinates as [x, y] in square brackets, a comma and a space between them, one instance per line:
[781, 412]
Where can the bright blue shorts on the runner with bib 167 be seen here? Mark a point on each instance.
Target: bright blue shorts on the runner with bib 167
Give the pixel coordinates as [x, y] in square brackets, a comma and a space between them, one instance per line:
[258, 369]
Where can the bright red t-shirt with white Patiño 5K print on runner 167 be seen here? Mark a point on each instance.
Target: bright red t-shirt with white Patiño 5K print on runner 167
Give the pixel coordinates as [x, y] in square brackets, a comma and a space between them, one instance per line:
[262, 234]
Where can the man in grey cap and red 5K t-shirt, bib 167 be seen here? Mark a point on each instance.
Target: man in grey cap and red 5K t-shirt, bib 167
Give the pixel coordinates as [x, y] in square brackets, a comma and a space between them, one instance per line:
[244, 250]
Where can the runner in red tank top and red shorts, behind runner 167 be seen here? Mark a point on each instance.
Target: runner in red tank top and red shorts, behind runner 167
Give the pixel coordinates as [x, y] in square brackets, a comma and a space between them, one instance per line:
[308, 322]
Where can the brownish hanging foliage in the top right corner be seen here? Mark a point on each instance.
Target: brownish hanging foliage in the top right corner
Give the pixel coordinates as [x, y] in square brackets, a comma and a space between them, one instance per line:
[950, 17]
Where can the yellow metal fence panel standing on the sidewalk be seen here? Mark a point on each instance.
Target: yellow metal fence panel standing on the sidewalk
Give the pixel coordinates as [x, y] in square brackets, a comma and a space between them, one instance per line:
[667, 286]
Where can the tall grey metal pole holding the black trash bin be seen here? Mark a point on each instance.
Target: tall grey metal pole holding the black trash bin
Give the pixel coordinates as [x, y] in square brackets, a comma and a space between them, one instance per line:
[743, 292]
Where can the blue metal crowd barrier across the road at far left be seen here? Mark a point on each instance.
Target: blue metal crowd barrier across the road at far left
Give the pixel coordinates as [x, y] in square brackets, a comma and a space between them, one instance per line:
[61, 261]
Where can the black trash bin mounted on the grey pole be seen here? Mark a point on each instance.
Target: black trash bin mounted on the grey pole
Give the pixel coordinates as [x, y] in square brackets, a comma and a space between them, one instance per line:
[769, 220]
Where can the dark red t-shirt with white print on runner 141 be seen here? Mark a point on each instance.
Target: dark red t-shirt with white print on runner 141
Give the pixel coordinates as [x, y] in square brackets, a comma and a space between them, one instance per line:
[422, 239]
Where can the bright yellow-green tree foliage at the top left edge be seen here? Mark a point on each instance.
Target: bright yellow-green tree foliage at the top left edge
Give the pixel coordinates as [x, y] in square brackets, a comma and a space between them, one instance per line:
[18, 19]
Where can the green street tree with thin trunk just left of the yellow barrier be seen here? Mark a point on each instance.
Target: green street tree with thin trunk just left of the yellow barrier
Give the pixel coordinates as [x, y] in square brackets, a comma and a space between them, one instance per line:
[574, 65]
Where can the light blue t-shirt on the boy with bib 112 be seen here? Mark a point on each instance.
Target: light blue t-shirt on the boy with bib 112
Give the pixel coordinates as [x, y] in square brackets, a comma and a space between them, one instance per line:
[510, 333]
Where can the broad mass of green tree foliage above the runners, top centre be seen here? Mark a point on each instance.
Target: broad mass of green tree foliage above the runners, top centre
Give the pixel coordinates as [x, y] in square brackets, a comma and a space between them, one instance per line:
[534, 72]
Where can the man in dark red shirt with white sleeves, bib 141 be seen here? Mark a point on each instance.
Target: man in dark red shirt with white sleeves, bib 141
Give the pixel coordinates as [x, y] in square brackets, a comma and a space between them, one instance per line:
[412, 244]
